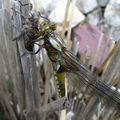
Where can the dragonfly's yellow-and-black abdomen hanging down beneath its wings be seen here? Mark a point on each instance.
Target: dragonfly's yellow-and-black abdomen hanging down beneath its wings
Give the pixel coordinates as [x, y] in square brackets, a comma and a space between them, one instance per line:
[55, 56]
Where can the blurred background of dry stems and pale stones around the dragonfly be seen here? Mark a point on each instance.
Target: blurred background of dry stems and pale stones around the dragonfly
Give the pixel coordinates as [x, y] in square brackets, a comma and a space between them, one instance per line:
[90, 30]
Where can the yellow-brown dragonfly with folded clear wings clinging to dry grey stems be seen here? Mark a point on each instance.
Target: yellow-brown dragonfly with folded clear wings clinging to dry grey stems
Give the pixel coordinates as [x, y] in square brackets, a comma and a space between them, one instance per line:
[65, 62]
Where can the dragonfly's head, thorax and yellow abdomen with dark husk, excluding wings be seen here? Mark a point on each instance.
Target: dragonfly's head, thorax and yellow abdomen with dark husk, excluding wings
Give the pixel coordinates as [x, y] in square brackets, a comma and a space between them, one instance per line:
[34, 31]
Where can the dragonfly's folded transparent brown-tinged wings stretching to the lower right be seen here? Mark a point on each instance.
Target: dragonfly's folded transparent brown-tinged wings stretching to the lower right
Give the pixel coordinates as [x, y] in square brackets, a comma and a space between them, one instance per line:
[84, 78]
